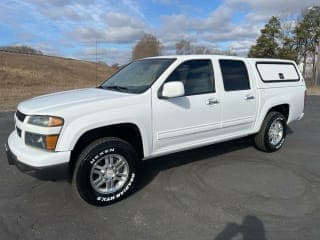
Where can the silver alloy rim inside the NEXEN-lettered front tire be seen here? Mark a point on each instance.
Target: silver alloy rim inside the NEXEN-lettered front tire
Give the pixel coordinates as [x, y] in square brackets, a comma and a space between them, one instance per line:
[109, 173]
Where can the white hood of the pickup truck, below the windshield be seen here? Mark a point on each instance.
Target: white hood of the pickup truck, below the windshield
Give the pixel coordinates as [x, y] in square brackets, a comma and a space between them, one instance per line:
[62, 100]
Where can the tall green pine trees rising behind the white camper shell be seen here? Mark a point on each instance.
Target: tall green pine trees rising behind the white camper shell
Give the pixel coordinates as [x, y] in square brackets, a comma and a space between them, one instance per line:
[295, 39]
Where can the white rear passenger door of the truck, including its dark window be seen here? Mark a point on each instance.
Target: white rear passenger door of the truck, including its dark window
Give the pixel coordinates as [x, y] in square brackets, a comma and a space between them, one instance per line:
[239, 97]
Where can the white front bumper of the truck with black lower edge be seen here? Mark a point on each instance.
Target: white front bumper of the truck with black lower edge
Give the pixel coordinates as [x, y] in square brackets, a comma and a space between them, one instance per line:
[20, 154]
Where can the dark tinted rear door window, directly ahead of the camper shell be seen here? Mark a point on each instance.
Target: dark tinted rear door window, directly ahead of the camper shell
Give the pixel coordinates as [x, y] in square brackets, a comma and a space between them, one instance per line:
[235, 75]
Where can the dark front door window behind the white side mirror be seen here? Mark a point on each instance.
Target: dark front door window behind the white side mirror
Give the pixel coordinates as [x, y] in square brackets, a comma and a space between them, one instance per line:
[196, 75]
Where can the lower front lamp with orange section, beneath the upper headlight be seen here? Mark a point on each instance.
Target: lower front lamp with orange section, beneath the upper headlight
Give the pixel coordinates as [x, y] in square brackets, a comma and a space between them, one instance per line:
[47, 142]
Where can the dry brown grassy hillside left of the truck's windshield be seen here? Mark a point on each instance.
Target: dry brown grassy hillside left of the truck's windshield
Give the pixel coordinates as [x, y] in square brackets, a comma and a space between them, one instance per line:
[24, 76]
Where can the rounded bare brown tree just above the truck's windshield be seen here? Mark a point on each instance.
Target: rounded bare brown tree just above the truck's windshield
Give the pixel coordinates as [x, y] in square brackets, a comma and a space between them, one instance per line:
[148, 46]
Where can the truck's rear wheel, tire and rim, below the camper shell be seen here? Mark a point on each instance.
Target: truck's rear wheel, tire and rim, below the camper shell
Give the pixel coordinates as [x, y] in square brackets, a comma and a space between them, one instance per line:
[272, 133]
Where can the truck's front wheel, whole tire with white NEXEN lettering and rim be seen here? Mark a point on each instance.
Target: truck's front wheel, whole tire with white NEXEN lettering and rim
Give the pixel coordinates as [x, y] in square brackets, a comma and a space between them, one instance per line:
[105, 171]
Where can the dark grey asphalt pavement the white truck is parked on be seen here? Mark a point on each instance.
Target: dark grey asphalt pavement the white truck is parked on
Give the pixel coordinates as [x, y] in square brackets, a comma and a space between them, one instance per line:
[218, 192]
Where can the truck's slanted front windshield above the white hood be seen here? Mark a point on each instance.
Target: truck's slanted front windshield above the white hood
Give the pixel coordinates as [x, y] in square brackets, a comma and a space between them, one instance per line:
[138, 76]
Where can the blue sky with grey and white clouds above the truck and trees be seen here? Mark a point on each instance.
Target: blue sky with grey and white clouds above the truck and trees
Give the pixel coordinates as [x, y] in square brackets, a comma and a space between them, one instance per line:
[109, 29]
